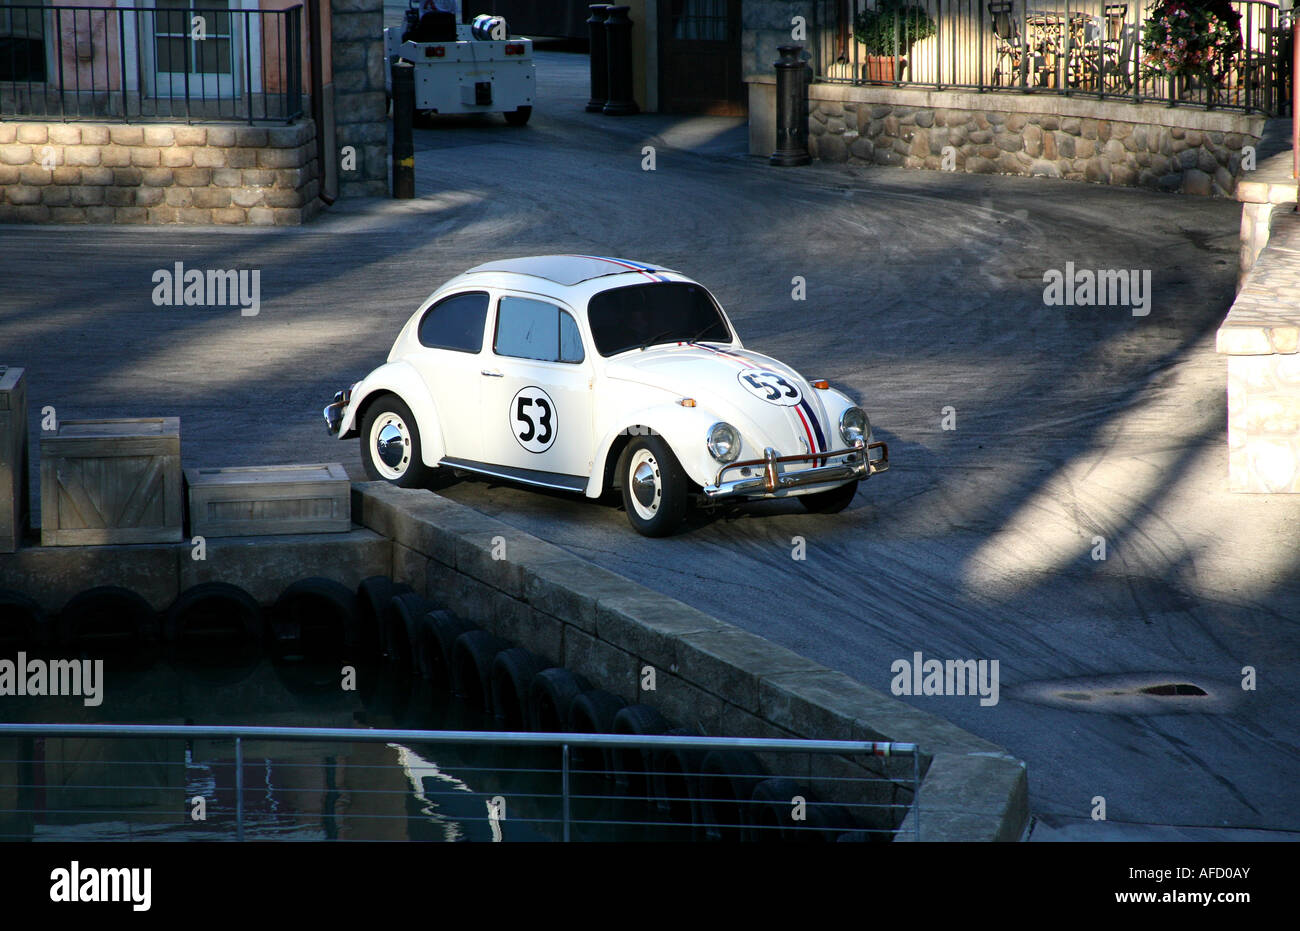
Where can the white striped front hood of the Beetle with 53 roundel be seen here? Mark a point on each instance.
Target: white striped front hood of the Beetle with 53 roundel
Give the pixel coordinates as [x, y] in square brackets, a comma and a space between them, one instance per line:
[712, 375]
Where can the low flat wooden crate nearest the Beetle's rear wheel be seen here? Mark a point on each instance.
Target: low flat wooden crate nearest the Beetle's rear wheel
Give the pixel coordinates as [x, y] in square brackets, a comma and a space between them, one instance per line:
[261, 500]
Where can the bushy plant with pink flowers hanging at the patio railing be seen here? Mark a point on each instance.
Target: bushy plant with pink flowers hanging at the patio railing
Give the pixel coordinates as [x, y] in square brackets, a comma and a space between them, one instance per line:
[1191, 40]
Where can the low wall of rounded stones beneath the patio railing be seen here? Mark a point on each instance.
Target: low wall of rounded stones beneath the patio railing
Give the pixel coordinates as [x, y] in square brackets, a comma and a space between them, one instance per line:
[1077, 140]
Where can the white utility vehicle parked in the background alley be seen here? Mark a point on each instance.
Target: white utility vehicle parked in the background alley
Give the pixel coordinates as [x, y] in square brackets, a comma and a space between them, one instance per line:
[461, 68]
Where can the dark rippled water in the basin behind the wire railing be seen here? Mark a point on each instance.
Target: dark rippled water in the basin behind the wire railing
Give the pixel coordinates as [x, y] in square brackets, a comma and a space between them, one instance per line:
[58, 790]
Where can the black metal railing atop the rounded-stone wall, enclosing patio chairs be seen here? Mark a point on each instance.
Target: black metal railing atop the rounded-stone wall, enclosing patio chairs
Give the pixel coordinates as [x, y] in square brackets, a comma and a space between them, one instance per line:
[1067, 47]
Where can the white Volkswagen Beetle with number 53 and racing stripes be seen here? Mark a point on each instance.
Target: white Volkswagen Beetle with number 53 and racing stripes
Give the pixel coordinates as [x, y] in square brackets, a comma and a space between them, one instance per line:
[586, 374]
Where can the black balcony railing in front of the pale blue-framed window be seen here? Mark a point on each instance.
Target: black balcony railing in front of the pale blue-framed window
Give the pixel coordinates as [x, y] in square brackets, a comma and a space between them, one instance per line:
[174, 62]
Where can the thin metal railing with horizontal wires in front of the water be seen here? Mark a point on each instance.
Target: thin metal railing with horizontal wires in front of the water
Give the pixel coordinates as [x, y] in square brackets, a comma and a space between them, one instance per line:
[149, 782]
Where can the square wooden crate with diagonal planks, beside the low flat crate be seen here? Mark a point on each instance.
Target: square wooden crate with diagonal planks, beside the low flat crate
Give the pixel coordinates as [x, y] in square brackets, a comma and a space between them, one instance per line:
[111, 482]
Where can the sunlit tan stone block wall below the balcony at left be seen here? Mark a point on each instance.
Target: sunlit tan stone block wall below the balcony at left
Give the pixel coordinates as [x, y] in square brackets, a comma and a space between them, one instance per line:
[158, 174]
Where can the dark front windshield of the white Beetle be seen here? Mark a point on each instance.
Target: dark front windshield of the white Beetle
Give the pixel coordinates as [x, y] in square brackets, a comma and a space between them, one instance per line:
[643, 315]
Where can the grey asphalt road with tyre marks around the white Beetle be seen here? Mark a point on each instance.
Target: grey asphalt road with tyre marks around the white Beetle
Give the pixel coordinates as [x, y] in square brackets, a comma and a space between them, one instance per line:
[925, 292]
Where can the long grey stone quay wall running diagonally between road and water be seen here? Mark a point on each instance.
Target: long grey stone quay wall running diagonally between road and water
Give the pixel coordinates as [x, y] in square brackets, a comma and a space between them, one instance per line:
[712, 675]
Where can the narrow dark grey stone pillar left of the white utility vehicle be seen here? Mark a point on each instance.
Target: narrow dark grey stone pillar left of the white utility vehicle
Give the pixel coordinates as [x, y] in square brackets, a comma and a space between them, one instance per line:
[361, 105]
